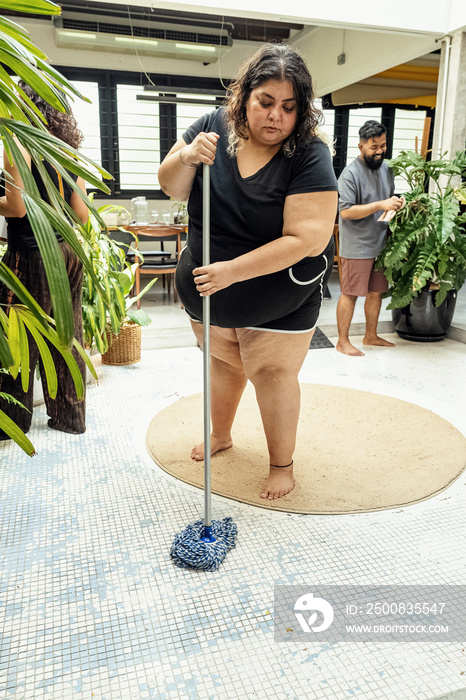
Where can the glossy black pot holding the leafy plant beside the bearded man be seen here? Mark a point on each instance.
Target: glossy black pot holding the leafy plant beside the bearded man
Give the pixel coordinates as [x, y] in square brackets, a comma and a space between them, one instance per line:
[422, 321]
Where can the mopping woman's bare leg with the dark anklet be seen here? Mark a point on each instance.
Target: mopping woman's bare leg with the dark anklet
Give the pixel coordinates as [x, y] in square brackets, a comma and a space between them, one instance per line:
[272, 362]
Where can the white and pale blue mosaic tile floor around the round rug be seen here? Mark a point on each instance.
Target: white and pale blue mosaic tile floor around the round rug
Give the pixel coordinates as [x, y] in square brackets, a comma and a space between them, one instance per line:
[91, 605]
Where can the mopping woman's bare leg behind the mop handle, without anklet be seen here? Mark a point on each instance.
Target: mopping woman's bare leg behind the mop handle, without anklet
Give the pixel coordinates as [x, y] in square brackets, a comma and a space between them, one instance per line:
[228, 381]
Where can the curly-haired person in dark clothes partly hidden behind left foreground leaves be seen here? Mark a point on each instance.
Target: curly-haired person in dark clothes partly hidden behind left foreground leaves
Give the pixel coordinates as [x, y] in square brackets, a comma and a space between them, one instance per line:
[66, 413]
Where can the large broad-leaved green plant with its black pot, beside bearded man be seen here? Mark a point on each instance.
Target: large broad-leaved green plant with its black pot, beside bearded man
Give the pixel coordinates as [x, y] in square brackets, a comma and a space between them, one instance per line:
[425, 256]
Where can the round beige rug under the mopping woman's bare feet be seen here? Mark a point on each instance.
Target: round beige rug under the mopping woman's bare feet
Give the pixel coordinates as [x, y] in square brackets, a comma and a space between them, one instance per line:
[356, 452]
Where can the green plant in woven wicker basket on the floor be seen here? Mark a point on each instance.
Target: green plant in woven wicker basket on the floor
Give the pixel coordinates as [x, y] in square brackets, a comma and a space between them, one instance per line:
[114, 327]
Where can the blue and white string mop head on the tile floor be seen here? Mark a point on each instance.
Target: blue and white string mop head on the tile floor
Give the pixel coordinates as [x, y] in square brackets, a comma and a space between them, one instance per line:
[189, 551]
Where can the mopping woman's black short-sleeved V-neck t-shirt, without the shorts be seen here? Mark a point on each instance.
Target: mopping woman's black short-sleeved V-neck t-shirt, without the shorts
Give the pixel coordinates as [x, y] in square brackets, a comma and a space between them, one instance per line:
[247, 212]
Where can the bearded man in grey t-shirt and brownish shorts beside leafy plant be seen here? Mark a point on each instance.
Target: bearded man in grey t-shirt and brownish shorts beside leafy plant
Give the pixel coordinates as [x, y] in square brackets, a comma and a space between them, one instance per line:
[366, 189]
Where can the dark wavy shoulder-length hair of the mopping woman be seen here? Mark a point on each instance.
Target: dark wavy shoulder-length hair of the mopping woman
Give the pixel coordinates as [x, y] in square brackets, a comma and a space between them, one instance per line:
[274, 62]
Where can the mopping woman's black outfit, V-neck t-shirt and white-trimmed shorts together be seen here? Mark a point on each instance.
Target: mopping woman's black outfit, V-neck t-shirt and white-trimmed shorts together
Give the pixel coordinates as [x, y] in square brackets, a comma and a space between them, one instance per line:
[247, 213]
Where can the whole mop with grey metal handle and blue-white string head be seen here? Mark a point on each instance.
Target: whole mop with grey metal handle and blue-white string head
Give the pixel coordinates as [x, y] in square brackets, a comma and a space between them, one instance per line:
[204, 544]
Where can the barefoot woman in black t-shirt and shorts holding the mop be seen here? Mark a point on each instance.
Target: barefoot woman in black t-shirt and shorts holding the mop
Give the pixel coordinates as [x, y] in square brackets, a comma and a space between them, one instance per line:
[274, 199]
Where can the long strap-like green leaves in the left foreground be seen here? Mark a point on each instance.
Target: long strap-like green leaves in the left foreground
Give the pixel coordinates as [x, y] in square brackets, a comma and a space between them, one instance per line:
[20, 118]
